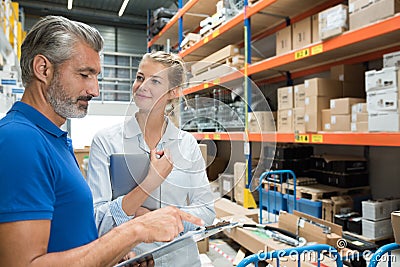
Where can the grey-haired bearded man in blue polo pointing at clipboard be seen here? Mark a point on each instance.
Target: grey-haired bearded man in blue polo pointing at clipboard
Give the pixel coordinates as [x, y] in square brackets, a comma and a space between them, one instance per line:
[46, 207]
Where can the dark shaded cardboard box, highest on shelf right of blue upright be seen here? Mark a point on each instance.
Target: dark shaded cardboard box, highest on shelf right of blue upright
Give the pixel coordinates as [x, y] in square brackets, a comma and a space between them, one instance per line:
[348, 73]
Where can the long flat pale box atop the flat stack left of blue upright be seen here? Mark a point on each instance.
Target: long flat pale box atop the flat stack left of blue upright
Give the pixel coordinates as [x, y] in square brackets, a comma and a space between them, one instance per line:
[216, 57]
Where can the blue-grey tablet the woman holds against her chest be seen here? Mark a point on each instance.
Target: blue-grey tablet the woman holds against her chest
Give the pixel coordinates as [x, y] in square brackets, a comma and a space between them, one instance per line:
[126, 172]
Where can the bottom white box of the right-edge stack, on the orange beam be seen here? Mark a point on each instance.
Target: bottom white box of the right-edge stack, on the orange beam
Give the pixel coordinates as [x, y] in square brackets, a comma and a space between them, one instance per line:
[383, 122]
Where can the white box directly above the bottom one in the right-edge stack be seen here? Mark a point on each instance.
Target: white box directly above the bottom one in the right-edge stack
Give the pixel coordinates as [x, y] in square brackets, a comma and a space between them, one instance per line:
[383, 100]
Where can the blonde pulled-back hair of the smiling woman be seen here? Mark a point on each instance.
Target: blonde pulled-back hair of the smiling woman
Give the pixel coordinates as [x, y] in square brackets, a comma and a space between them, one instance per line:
[175, 64]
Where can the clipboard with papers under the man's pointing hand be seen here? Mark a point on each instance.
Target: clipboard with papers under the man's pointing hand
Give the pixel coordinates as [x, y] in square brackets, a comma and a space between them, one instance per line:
[180, 242]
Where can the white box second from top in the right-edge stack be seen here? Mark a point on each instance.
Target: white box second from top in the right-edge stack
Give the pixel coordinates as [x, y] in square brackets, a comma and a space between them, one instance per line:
[382, 79]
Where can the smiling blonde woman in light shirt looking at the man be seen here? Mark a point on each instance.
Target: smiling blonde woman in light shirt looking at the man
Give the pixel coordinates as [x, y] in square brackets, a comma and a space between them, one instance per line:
[177, 169]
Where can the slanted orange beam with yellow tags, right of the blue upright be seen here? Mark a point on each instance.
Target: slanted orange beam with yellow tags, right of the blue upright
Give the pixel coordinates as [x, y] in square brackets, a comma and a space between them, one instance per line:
[347, 38]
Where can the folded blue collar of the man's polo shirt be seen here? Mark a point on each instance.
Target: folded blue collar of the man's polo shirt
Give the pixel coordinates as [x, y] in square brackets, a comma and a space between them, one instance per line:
[37, 118]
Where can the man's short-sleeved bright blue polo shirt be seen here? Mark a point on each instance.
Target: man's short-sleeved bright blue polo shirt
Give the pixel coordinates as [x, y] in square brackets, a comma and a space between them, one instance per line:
[40, 179]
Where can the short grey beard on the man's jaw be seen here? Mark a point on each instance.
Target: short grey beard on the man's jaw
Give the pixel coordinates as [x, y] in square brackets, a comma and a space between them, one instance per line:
[63, 105]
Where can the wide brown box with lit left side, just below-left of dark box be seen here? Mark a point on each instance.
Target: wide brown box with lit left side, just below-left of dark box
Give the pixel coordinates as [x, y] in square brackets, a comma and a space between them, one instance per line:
[323, 87]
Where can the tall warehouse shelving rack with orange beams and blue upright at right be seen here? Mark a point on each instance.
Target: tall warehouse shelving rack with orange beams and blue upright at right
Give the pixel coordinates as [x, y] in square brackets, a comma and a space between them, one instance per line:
[267, 17]
